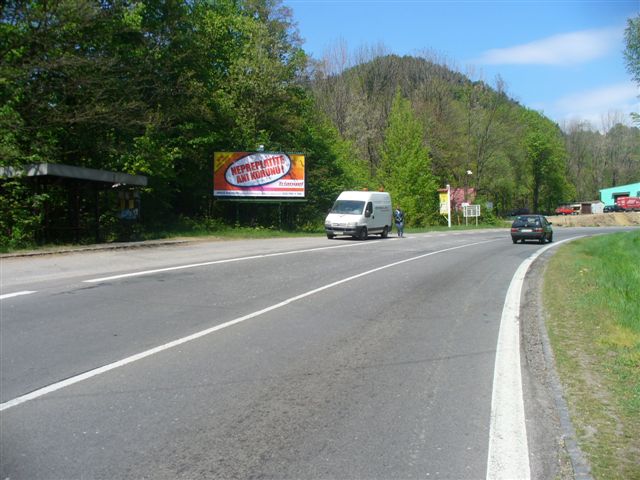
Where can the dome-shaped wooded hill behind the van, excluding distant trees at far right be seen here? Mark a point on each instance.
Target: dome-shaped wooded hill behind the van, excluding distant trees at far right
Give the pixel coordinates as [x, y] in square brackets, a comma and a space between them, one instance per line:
[516, 156]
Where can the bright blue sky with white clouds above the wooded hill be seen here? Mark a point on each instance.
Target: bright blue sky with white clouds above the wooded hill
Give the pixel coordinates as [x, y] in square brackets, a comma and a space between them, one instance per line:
[562, 57]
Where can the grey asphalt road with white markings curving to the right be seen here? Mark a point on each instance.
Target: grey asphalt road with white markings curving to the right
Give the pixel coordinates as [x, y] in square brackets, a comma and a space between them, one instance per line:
[288, 358]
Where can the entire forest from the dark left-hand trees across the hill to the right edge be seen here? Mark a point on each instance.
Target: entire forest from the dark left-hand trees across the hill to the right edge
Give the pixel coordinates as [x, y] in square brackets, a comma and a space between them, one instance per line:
[155, 87]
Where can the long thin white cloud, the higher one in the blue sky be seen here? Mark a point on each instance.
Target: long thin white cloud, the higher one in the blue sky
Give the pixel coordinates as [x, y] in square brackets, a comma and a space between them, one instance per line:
[563, 49]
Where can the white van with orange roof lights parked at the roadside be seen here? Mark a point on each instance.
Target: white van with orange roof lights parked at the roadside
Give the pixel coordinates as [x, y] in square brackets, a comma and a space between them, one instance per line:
[360, 213]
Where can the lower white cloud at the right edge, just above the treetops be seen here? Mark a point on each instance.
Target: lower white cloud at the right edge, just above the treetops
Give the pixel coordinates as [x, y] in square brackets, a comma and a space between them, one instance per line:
[595, 105]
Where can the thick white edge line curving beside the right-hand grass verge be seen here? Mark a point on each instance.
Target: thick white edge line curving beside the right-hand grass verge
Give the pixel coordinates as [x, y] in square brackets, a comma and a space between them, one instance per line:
[508, 457]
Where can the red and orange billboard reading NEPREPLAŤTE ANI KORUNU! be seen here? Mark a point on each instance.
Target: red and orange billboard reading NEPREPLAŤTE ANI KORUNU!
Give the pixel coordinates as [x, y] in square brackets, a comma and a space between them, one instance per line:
[258, 175]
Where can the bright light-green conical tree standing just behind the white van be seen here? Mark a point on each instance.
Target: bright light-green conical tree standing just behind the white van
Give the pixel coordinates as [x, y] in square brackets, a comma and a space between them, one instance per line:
[405, 167]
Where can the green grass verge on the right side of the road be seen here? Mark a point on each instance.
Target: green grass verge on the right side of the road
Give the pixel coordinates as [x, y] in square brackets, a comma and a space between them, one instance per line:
[592, 296]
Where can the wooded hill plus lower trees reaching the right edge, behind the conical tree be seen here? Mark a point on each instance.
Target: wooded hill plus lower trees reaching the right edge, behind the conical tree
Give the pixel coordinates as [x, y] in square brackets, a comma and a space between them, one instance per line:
[517, 157]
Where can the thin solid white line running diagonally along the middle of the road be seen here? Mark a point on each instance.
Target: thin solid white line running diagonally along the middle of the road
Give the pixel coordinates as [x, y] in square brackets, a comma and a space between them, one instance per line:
[134, 358]
